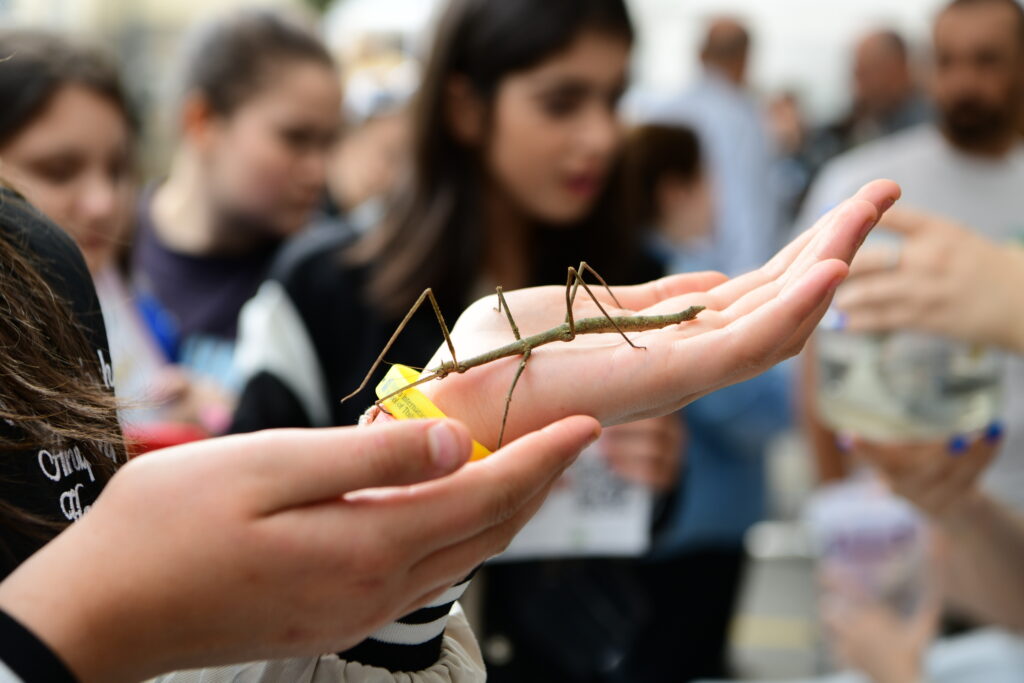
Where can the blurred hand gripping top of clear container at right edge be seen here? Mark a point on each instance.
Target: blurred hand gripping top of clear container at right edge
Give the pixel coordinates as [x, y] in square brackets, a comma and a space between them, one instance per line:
[944, 279]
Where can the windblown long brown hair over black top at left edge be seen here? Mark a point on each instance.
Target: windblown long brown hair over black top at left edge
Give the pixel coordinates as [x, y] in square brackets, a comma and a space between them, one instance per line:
[52, 393]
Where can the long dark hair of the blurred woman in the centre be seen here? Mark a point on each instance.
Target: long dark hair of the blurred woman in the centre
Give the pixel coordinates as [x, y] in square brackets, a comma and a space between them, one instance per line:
[434, 235]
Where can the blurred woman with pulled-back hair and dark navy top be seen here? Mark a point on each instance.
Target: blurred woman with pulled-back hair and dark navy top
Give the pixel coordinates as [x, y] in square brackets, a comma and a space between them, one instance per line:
[261, 109]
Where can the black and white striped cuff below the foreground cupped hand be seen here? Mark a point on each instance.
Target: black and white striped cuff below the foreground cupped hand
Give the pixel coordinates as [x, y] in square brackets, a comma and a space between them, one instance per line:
[413, 643]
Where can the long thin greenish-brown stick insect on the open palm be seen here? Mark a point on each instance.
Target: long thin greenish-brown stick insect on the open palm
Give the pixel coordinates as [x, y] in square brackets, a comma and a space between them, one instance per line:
[524, 347]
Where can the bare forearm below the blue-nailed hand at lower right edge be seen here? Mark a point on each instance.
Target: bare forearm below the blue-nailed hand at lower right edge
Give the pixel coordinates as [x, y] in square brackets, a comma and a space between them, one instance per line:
[987, 560]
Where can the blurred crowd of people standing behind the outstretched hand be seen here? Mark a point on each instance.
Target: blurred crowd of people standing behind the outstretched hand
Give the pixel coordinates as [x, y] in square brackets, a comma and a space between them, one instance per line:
[310, 201]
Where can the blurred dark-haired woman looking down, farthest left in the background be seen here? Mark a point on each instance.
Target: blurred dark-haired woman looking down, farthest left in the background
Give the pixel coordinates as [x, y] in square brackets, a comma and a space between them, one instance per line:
[68, 143]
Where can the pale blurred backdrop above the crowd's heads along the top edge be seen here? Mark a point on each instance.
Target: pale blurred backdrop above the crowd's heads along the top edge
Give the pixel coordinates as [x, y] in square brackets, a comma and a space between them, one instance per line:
[801, 47]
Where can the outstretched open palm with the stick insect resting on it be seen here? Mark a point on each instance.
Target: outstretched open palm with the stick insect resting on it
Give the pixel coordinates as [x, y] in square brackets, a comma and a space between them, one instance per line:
[751, 323]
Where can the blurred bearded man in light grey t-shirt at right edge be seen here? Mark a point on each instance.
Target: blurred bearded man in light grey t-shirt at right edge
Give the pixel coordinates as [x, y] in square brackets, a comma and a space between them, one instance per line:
[969, 165]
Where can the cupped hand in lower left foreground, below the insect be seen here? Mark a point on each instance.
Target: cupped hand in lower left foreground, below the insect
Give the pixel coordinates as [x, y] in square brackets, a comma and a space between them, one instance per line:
[278, 544]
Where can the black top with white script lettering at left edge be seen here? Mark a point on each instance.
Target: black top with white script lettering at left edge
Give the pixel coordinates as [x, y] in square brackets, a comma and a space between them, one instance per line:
[56, 484]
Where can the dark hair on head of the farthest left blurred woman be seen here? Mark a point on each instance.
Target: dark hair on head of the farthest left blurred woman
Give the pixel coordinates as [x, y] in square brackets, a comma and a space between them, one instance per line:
[35, 65]
